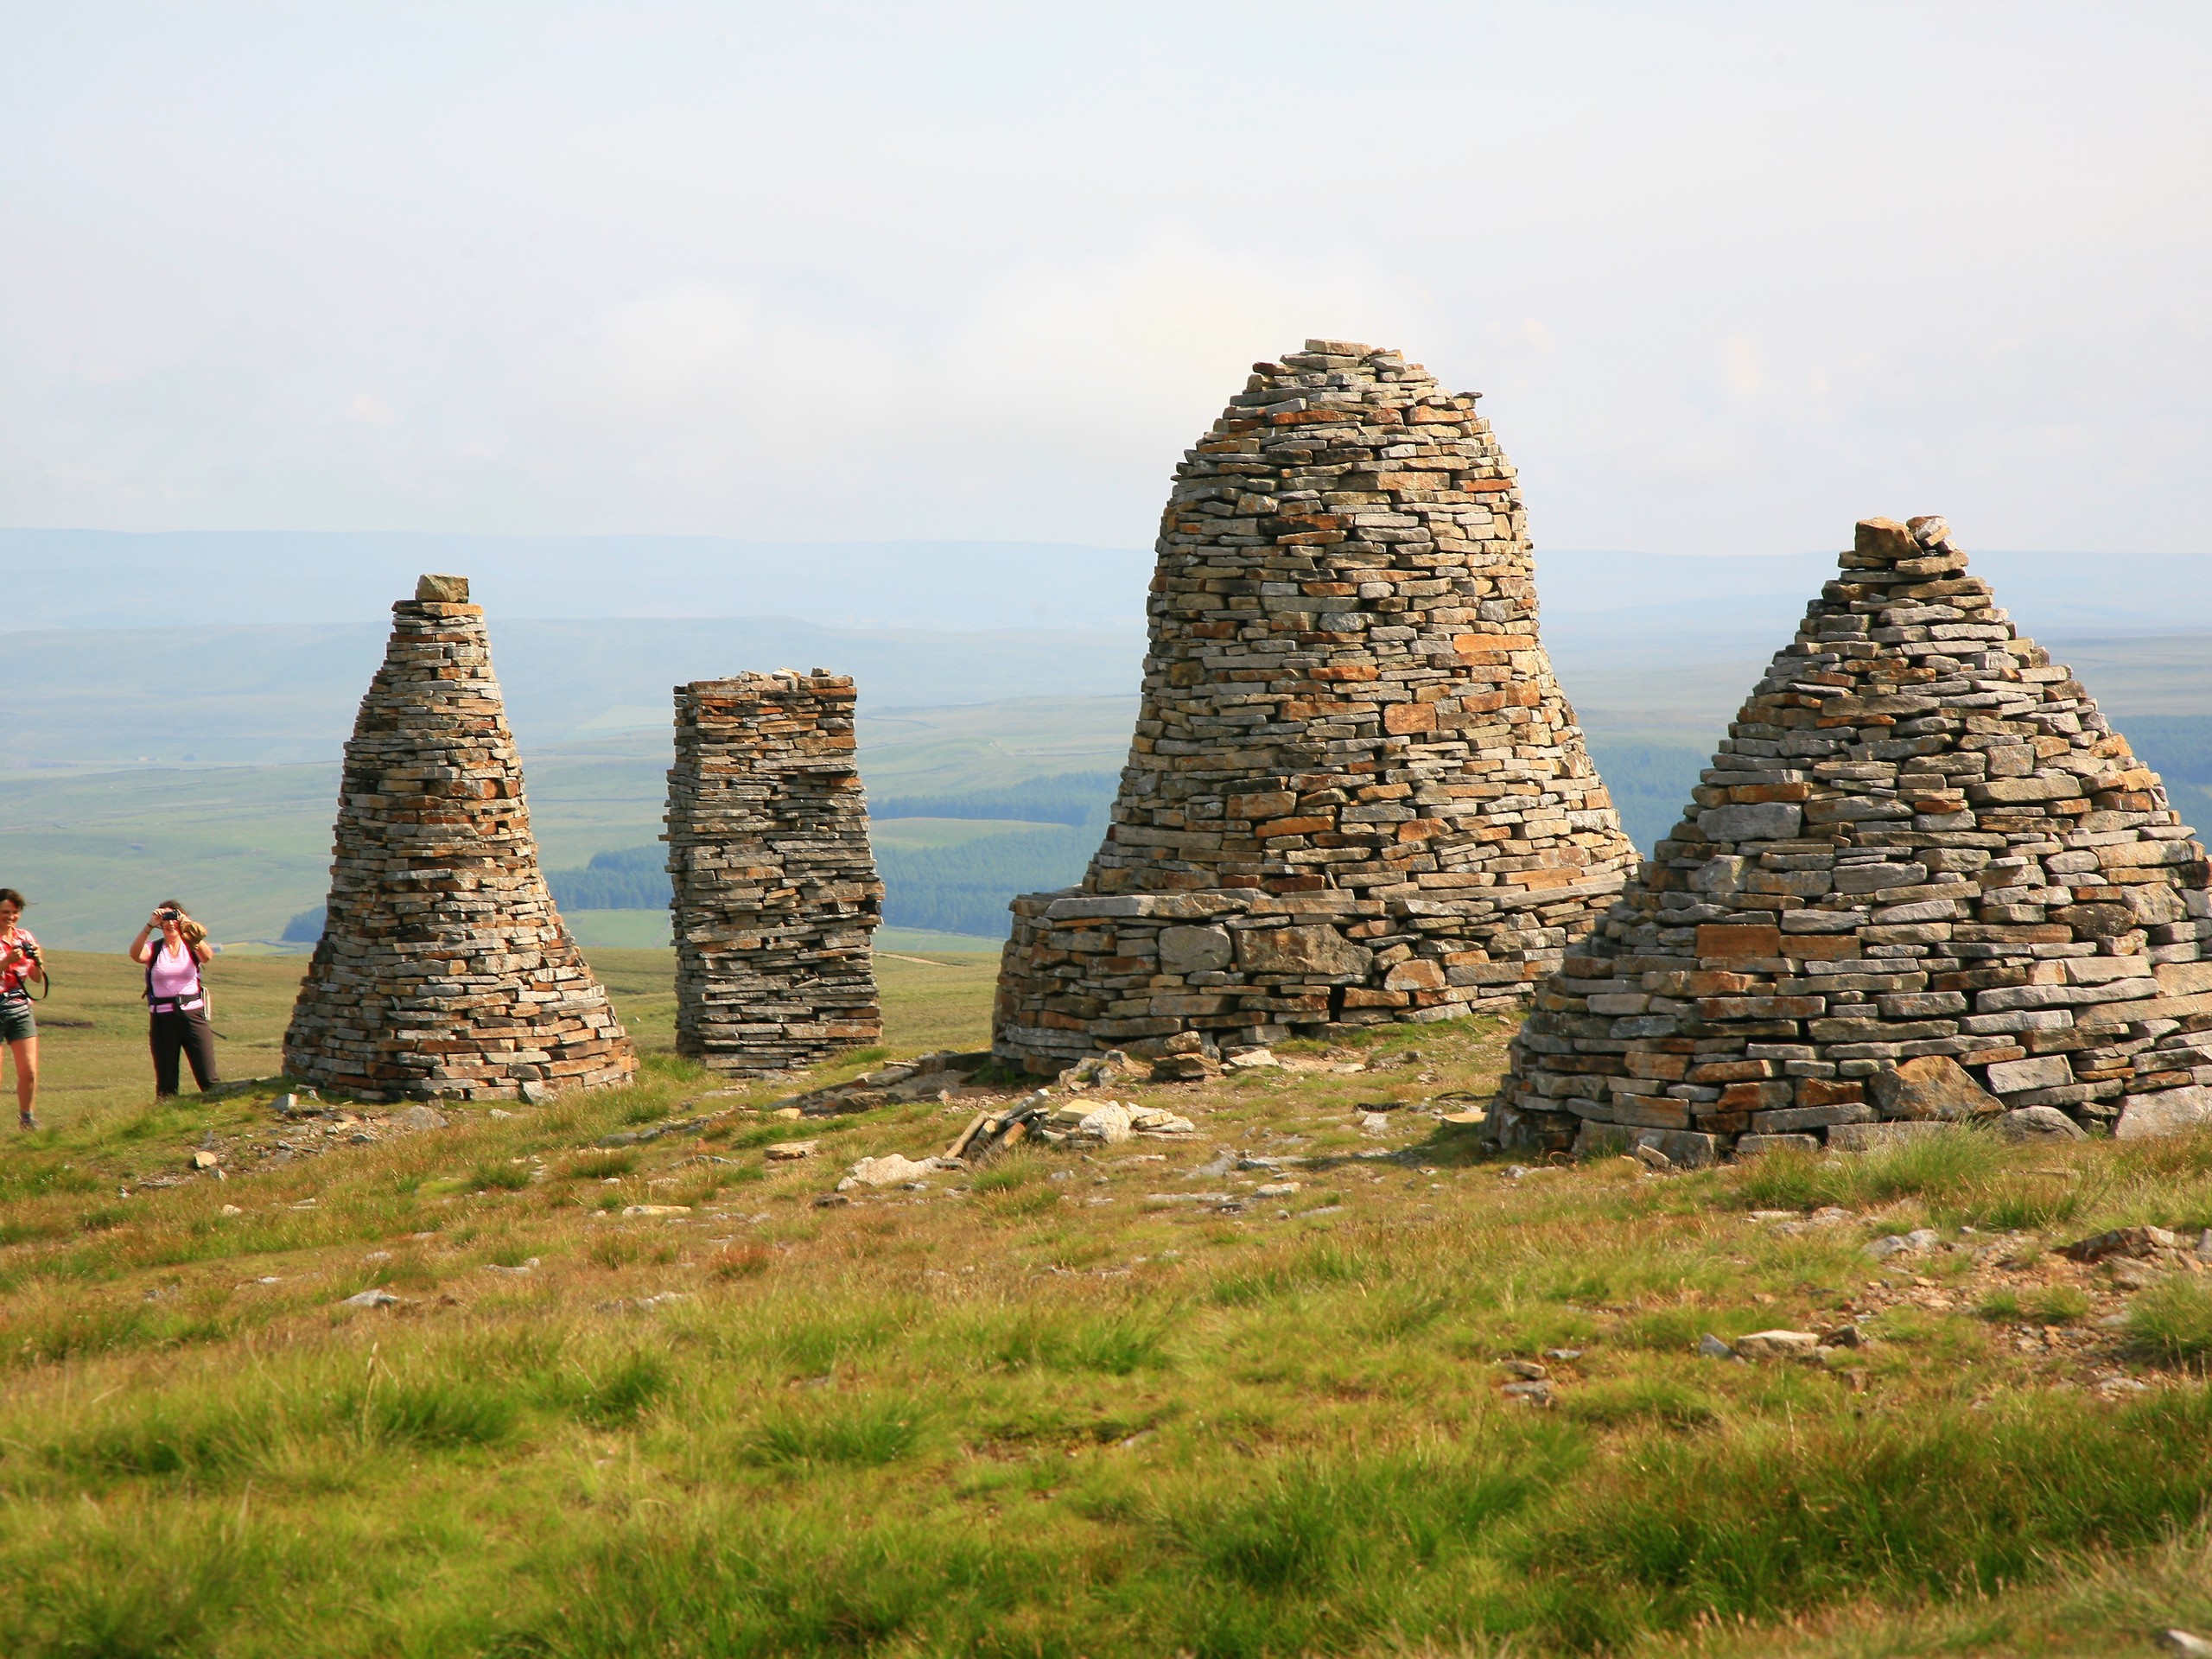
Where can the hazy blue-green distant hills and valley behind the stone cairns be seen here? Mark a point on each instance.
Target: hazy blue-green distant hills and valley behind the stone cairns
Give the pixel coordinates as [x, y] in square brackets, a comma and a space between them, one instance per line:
[200, 755]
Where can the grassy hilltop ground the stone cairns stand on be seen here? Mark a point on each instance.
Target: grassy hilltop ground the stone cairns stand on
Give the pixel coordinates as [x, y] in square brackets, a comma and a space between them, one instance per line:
[1319, 1379]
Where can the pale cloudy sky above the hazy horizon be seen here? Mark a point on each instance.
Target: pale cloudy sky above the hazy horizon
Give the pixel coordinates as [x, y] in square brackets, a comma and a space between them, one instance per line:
[1729, 275]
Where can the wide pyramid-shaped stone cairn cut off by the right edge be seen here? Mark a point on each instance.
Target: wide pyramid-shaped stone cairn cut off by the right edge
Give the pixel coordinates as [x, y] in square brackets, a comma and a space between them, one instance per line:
[1921, 881]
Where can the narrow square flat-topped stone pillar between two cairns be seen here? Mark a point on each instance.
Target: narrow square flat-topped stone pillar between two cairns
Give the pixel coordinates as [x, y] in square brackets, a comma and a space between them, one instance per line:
[775, 886]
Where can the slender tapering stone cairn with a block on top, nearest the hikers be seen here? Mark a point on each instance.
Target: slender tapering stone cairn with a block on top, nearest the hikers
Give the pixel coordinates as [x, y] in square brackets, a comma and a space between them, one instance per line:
[444, 970]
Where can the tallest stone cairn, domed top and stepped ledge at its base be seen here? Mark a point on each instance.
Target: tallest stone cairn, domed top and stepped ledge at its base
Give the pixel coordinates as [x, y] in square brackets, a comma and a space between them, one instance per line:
[1355, 791]
